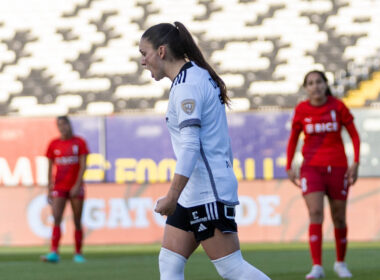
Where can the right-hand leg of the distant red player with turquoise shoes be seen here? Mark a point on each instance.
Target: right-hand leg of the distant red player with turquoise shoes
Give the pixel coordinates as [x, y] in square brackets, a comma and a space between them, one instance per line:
[77, 207]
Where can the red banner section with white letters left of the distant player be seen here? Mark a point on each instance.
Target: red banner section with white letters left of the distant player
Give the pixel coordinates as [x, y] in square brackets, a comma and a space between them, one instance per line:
[23, 144]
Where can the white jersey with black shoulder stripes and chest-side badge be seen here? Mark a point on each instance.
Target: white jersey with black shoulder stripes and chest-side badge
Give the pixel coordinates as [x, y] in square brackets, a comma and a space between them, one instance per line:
[195, 101]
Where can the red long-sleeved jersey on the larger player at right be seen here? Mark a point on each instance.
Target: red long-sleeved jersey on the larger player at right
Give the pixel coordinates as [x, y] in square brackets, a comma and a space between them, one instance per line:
[323, 144]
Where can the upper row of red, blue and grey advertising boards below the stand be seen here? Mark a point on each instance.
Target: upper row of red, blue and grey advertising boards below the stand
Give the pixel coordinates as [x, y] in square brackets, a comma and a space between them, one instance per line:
[136, 148]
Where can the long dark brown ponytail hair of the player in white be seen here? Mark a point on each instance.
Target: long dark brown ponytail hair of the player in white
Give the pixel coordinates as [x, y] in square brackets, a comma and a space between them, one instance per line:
[182, 46]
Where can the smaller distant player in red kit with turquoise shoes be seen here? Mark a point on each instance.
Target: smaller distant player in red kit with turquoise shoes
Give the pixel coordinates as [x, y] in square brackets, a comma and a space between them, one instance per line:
[68, 154]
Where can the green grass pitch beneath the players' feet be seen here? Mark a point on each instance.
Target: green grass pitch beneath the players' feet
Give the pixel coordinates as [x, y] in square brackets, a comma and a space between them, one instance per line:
[280, 261]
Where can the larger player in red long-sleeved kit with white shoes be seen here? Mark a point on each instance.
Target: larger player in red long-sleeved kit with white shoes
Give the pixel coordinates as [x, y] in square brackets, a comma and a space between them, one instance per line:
[324, 170]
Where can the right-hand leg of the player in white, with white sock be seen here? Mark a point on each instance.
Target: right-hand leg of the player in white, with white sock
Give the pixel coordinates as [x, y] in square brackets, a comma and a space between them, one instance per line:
[224, 251]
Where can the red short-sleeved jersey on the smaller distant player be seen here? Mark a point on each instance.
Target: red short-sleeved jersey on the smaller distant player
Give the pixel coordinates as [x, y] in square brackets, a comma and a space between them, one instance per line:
[65, 155]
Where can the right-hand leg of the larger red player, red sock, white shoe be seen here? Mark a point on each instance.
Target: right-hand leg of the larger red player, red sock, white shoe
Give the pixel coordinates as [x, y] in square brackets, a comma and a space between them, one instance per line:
[338, 215]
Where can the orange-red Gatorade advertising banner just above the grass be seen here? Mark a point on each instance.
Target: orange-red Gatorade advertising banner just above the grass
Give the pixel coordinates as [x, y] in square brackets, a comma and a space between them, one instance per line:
[269, 211]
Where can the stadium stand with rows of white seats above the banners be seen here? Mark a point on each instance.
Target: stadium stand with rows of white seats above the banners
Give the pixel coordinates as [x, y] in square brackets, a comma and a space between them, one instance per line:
[81, 56]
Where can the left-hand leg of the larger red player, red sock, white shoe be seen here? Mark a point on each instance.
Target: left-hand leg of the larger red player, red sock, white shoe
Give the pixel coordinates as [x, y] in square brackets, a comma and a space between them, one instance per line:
[314, 202]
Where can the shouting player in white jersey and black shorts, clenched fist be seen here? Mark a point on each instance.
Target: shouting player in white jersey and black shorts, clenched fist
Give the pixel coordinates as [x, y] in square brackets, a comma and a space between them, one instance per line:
[200, 203]
